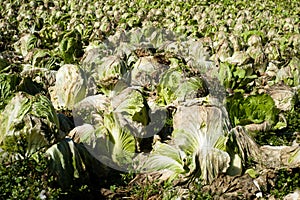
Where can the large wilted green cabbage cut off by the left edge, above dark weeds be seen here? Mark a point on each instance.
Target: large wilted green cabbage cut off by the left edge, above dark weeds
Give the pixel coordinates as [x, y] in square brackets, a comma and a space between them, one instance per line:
[28, 122]
